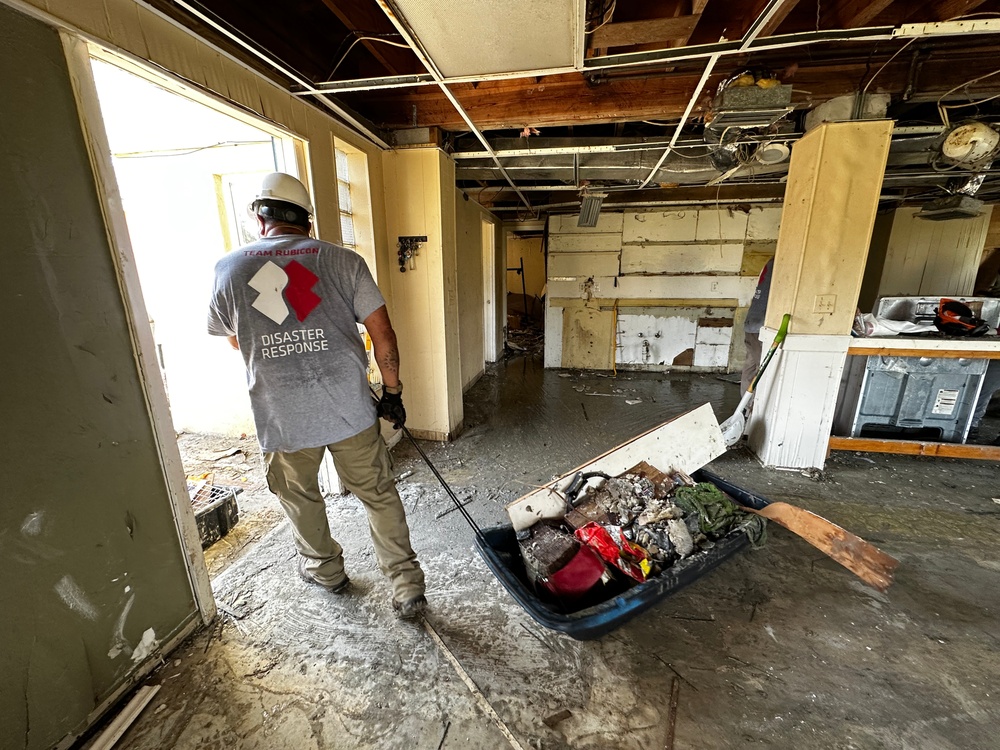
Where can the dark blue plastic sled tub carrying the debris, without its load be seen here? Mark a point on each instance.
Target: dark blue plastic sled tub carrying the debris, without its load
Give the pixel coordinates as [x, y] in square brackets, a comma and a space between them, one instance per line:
[499, 549]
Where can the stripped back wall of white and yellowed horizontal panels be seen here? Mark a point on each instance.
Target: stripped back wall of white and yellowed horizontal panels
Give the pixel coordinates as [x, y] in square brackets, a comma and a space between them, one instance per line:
[655, 290]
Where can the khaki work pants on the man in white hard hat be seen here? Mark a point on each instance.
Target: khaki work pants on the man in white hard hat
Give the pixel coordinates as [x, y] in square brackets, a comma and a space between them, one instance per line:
[362, 463]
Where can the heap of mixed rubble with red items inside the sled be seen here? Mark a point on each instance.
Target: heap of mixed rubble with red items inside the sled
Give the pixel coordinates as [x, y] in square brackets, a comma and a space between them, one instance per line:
[619, 531]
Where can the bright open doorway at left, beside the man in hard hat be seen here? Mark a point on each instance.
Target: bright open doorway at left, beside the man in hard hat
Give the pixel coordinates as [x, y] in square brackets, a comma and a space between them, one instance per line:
[186, 172]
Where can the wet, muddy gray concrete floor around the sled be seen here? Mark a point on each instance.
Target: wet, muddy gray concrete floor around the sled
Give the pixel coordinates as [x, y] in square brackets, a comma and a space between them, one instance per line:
[779, 647]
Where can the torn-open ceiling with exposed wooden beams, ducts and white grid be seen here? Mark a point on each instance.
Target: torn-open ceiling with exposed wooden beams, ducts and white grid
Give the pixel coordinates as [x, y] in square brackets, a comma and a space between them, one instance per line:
[541, 101]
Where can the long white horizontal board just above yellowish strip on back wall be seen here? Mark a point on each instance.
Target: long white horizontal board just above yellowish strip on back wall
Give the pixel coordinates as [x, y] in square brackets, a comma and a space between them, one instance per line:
[740, 288]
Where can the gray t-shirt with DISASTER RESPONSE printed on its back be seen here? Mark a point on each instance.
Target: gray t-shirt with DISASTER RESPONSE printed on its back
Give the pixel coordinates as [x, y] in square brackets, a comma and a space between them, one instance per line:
[293, 304]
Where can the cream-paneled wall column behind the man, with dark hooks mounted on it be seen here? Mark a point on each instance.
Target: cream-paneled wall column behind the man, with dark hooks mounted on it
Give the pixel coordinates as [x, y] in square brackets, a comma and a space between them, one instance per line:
[420, 196]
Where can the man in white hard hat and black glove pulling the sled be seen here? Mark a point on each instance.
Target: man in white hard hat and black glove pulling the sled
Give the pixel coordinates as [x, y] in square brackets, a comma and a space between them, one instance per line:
[291, 304]
